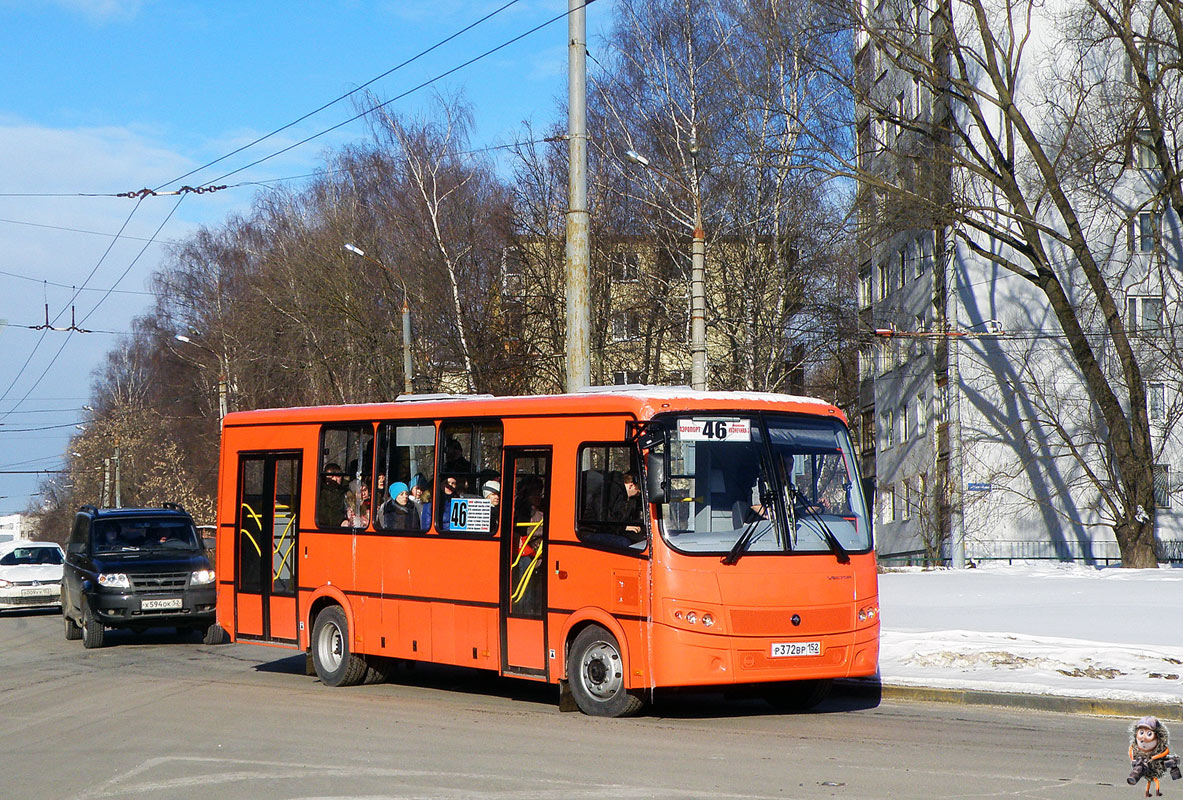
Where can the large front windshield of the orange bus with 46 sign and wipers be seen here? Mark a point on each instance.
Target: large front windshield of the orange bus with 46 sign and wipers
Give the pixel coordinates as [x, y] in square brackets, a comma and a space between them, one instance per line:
[764, 485]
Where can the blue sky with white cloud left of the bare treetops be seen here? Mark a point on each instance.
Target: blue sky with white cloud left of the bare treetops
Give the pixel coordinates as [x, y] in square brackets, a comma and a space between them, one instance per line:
[109, 96]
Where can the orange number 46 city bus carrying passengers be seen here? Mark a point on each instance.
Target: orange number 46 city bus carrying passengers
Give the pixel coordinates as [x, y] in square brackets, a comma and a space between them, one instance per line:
[616, 543]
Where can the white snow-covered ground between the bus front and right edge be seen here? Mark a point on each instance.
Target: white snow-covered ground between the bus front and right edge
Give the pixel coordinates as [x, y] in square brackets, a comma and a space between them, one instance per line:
[1050, 629]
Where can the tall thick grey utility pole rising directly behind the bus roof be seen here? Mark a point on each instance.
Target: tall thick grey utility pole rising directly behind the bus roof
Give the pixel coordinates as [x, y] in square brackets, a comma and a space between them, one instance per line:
[579, 247]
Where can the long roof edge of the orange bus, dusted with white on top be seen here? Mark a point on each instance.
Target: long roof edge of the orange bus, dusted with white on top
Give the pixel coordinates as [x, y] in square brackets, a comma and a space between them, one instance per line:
[642, 402]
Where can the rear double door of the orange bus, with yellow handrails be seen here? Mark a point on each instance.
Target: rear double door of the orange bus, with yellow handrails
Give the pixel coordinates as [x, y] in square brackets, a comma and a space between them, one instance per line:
[267, 547]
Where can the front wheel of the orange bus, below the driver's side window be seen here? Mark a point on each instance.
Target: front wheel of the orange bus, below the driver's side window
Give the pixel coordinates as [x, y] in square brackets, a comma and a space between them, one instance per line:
[596, 674]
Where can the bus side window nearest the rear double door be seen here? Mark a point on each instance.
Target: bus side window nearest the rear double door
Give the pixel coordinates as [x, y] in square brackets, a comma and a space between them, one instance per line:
[346, 469]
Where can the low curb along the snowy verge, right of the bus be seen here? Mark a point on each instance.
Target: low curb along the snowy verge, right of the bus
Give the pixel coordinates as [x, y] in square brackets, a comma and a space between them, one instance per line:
[1058, 704]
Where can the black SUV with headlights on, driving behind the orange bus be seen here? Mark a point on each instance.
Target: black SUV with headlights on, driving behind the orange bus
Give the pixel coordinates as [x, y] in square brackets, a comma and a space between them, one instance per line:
[137, 569]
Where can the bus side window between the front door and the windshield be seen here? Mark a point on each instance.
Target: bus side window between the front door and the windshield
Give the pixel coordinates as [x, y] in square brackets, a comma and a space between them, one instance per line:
[611, 514]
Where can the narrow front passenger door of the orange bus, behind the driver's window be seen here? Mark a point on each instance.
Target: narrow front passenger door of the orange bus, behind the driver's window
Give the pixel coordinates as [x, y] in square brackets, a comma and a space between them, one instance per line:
[526, 511]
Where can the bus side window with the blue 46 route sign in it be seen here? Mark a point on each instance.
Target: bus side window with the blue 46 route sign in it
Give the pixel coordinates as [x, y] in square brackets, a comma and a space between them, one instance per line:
[470, 456]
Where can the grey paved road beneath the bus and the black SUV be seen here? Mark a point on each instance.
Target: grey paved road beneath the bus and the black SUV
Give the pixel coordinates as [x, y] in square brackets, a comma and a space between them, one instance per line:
[157, 717]
